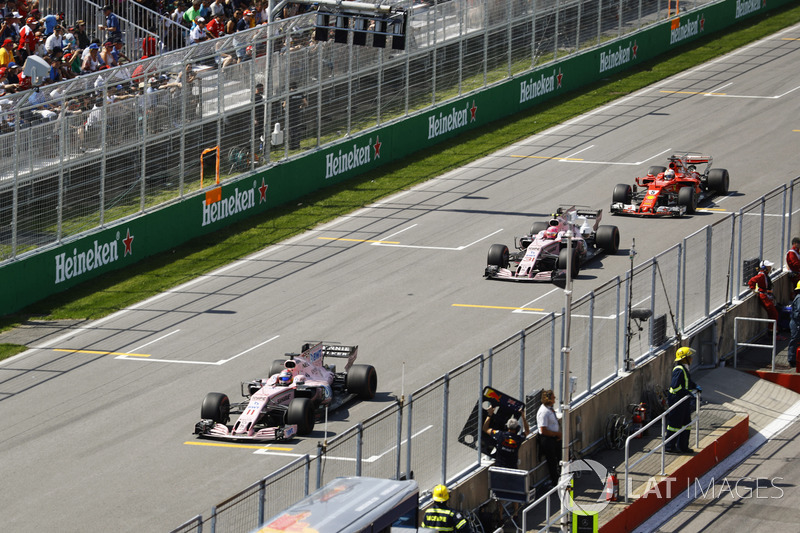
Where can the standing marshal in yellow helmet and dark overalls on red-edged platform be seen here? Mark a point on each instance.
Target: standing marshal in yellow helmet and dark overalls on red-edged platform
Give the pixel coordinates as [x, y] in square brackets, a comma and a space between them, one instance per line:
[680, 386]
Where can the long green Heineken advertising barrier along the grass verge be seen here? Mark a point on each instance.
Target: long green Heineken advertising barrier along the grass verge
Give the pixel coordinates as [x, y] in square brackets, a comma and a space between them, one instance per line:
[33, 278]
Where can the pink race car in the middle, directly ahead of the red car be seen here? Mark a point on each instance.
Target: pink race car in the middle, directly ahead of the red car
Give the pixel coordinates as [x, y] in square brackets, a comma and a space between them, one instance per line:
[542, 254]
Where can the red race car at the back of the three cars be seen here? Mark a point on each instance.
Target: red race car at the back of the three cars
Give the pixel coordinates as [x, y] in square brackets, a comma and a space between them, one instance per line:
[674, 190]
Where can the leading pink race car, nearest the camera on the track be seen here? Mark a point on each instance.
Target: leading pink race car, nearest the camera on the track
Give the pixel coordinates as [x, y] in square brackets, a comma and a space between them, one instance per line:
[286, 404]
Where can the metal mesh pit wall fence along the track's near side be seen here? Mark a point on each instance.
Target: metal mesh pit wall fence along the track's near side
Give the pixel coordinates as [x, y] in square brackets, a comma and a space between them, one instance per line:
[433, 434]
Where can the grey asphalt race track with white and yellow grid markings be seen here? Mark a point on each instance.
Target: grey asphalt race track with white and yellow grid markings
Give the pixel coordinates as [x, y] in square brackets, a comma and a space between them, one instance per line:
[97, 425]
